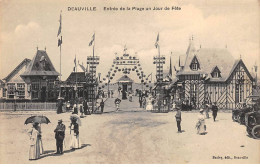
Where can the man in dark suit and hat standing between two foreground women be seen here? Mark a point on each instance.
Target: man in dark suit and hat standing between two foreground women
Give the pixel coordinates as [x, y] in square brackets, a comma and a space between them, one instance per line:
[59, 136]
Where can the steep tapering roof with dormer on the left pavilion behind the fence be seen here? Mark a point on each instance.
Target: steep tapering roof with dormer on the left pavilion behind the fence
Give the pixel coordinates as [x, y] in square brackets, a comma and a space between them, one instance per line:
[40, 65]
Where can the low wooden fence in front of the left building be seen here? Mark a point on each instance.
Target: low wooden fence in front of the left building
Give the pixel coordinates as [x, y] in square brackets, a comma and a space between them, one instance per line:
[28, 106]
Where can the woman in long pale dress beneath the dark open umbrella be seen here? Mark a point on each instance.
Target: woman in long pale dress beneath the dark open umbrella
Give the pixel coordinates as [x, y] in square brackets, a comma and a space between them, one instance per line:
[34, 151]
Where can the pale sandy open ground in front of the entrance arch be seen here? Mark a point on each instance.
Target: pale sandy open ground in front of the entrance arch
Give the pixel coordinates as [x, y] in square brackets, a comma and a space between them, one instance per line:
[131, 135]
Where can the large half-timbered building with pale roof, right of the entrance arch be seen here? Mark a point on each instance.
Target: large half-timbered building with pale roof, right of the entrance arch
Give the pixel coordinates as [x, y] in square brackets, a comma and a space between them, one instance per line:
[212, 75]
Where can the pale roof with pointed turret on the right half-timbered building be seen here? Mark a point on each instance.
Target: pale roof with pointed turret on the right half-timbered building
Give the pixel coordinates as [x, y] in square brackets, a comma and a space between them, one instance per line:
[208, 60]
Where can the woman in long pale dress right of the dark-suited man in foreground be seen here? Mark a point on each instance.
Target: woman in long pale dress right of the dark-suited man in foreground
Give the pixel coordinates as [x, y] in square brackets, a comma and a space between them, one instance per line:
[75, 142]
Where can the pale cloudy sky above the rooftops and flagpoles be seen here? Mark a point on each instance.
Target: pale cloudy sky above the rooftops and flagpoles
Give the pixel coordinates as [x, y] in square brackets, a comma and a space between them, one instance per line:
[28, 24]
